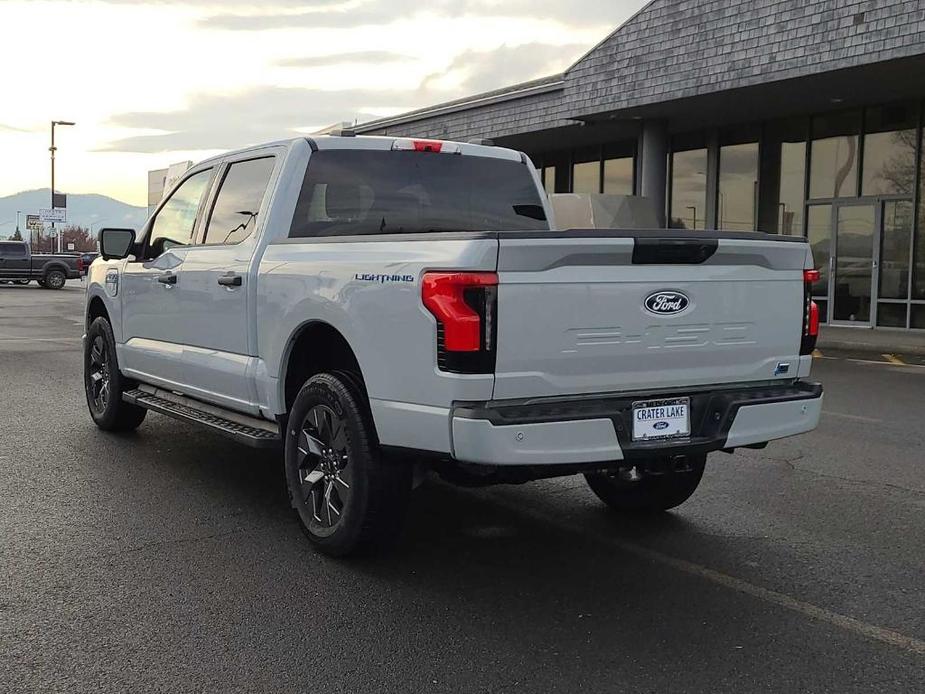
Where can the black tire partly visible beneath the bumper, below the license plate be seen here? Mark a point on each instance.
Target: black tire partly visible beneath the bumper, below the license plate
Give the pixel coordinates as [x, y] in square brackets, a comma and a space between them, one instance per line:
[650, 494]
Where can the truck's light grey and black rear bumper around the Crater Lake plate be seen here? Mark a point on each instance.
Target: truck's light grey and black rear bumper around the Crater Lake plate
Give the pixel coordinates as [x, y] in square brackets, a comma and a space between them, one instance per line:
[590, 430]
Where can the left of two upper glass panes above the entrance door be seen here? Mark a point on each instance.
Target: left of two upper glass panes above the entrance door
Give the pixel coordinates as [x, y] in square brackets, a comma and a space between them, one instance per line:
[834, 156]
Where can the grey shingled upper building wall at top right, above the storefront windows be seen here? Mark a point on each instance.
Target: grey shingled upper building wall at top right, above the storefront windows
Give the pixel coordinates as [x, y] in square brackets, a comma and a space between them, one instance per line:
[673, 49]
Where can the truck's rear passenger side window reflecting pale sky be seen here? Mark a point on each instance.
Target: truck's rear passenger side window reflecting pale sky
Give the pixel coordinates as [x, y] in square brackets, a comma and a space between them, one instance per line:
[234, 214]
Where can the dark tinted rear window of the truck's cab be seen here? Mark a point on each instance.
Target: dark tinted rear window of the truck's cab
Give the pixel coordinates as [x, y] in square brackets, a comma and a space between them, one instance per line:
[349, 192]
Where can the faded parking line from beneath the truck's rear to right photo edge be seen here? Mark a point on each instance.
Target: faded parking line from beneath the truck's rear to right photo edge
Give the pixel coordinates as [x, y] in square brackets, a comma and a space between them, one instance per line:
[850, 624]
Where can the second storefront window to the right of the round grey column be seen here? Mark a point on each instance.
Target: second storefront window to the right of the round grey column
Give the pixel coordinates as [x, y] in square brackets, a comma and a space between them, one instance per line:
[738, 187]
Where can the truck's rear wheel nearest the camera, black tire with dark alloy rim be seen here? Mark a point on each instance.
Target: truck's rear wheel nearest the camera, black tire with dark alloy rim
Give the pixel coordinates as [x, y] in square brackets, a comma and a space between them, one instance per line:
[346, 497]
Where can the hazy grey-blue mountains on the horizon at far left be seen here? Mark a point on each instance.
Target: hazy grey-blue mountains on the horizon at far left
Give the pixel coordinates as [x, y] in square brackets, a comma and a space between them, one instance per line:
[82, 210]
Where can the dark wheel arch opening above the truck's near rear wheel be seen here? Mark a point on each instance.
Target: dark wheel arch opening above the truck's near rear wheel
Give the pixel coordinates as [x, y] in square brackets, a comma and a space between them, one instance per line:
[315, 347]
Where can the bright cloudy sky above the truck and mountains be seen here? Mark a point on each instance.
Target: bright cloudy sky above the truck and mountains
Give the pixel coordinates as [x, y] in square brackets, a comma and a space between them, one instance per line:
[152, 83]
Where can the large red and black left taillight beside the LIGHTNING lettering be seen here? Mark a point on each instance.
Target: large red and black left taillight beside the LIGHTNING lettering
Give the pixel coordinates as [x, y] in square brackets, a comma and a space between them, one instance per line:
[465, 305]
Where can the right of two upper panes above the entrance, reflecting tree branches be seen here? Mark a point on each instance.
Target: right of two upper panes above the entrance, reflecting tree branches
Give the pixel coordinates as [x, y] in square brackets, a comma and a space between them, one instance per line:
[889, 150]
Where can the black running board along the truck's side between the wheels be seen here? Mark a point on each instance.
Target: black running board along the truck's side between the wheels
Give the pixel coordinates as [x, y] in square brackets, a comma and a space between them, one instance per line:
[257, 433]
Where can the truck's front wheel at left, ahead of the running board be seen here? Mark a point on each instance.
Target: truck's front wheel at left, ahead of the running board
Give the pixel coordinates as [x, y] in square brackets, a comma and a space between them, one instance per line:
[104, 384]
